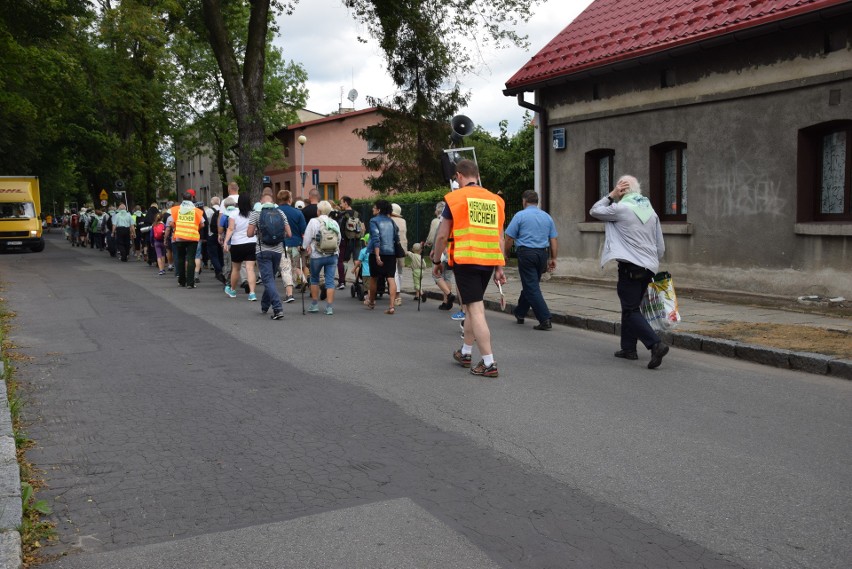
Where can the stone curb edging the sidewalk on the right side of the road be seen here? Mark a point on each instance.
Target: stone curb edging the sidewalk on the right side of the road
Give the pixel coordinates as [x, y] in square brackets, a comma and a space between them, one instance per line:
[800, 361]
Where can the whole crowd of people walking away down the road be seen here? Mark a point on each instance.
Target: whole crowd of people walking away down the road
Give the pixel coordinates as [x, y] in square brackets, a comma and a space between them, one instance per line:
[306, 245]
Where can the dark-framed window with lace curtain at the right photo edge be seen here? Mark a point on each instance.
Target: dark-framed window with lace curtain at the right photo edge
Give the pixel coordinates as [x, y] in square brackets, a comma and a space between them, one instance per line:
[824, 166]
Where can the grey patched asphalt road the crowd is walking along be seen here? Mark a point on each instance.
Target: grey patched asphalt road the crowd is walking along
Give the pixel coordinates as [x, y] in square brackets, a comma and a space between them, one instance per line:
[180, 428]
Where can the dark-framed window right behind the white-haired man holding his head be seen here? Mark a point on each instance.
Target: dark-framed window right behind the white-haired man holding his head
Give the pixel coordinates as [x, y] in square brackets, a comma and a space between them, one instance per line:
[668, 179]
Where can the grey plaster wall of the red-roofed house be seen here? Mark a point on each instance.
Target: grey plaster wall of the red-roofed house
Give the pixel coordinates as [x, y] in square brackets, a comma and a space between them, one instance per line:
[742, 143]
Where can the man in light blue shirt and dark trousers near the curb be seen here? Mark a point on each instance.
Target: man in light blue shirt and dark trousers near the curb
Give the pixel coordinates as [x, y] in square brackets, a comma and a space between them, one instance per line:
[534, 234]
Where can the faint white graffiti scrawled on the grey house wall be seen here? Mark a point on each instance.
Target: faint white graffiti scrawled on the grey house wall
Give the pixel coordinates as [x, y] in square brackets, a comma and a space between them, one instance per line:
[740, 191]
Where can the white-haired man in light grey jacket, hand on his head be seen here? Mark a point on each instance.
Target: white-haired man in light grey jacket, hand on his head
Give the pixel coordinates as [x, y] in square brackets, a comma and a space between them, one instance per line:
[634, 239]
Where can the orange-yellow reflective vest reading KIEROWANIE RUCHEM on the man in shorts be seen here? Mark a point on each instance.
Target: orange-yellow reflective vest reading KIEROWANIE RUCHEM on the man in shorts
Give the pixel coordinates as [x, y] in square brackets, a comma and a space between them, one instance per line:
[478, 217]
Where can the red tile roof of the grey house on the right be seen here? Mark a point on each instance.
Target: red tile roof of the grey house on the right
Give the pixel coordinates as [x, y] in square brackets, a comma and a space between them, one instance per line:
[609, 31]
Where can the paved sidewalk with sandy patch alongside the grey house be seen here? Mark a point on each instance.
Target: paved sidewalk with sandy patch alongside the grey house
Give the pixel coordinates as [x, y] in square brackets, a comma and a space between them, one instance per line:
[594, 306]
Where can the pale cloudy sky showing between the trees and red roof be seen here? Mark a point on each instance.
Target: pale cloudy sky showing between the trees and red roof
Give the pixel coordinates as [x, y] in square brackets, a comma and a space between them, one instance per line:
[321, 35]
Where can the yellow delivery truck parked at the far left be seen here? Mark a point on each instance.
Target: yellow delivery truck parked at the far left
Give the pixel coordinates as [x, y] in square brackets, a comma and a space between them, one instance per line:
[20, 213]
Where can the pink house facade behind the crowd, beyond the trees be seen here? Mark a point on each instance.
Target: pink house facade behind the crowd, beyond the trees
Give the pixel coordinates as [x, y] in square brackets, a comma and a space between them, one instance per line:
[332, 149]
